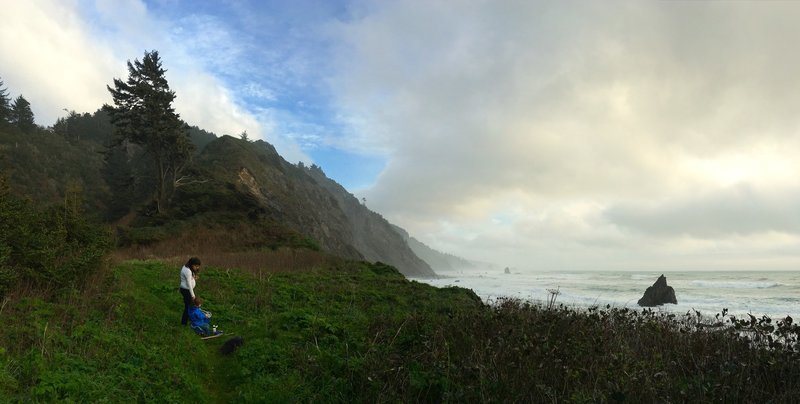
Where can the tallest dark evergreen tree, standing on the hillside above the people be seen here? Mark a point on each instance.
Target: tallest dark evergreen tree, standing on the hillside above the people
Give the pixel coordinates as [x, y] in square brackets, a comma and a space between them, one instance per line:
[143, 115]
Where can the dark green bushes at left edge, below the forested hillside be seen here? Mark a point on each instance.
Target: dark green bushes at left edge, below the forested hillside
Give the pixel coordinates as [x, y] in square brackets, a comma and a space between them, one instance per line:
[48, 248]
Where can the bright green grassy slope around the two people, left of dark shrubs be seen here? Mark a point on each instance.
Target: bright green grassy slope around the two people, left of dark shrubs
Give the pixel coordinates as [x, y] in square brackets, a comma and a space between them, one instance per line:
[309, 336]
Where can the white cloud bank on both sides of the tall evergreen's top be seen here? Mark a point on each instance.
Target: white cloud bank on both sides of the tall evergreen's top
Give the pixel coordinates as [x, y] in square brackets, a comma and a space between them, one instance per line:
[61, 54]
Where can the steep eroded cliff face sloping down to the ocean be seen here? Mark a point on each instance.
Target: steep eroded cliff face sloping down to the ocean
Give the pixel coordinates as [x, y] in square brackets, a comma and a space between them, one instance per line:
[306, 200]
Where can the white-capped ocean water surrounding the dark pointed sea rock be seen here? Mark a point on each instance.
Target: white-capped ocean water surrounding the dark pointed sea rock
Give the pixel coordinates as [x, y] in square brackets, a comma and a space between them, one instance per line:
[772, 293]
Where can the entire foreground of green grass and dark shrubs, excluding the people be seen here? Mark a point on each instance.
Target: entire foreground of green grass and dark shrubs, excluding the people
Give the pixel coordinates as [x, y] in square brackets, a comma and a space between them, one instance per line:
[357, 332]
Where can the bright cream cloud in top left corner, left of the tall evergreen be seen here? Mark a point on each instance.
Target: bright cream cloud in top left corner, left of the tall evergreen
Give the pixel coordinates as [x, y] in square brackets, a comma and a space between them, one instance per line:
[49, 57]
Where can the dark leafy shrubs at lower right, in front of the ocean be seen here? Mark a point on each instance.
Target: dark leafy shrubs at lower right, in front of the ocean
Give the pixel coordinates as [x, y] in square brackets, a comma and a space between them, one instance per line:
[518, 352]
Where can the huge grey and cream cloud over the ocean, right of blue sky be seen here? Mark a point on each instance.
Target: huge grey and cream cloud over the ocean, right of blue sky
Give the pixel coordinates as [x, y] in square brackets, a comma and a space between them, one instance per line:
[640, 112]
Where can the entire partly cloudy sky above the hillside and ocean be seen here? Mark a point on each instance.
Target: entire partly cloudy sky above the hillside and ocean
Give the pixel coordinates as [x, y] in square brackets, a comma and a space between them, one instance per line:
[536, 135]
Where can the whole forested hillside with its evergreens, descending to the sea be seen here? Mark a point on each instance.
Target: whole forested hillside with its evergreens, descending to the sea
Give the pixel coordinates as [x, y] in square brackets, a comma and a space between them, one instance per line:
[137, 167]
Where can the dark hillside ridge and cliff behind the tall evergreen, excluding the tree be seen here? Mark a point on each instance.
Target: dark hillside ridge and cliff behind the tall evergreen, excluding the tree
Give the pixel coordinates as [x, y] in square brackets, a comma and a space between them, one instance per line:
[229, 180]
